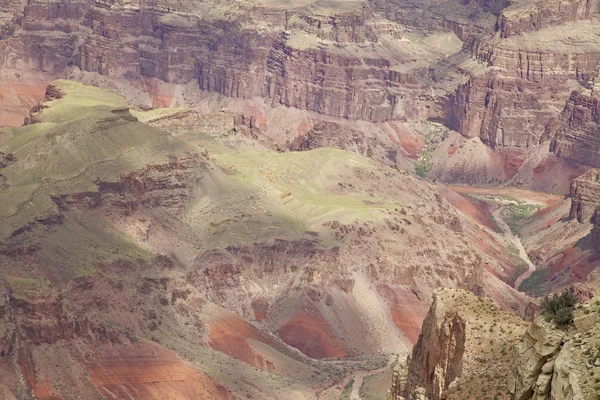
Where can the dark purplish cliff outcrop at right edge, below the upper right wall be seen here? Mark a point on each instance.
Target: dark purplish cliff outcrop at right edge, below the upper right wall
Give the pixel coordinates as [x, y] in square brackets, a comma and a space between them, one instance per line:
[576, 131]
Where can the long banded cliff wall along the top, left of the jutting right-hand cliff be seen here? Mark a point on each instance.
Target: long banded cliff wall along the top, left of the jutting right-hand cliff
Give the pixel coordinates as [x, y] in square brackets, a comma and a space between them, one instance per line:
[339, 60]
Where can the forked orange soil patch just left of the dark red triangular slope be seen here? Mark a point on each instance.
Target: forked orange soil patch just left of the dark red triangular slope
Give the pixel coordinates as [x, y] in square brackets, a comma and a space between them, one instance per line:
[230, 335]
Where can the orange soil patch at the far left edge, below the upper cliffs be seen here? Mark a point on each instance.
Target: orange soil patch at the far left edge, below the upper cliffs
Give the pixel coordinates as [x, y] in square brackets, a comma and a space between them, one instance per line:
[16, 99]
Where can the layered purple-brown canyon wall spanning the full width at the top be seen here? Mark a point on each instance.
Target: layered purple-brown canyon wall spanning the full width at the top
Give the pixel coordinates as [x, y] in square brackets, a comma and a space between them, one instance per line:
[476, 69]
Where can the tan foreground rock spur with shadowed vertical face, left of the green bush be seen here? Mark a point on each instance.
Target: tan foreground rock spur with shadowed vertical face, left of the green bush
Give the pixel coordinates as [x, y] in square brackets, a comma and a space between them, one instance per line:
[460, 335]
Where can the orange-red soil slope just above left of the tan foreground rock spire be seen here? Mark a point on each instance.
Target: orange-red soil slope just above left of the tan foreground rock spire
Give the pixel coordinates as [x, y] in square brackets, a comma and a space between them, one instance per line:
[407, 310]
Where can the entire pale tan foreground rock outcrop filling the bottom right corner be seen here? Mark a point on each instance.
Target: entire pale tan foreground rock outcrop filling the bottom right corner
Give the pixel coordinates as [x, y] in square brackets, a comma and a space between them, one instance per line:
[535, 361]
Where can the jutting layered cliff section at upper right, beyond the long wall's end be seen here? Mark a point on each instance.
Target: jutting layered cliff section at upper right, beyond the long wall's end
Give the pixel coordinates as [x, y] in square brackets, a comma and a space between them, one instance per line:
[529, 79]
